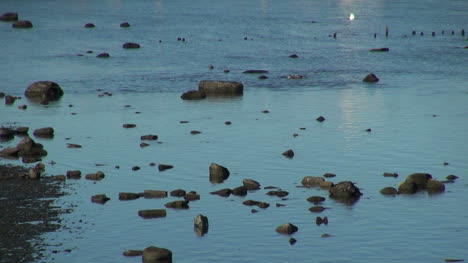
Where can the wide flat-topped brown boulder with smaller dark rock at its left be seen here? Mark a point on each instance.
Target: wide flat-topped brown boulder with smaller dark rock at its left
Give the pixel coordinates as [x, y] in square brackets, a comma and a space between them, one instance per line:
[221, 88]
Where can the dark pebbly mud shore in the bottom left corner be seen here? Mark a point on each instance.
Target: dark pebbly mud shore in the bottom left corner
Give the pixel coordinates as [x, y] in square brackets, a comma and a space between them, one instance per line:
[27, 211]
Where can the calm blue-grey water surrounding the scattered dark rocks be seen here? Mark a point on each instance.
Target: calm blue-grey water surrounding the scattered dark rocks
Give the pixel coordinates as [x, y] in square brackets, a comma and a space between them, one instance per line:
[418, 113]
